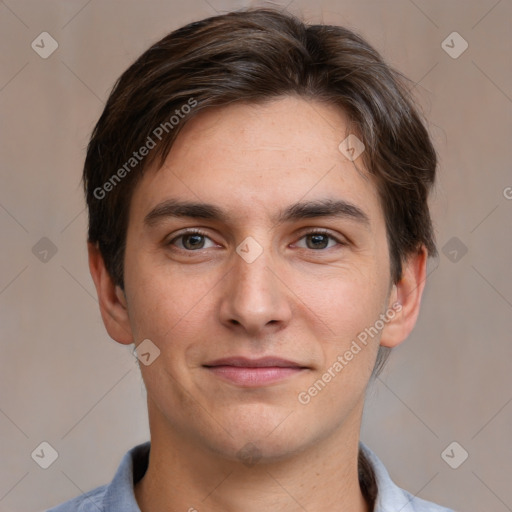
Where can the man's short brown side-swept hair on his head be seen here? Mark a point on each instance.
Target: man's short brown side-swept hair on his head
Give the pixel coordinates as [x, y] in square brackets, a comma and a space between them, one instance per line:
[253, 56]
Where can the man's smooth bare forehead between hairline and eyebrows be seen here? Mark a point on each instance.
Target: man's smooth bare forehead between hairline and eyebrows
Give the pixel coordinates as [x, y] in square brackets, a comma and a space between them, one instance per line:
[256, 159]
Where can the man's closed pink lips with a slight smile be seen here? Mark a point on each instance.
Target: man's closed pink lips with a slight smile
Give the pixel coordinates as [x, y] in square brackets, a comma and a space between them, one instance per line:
[247, 372]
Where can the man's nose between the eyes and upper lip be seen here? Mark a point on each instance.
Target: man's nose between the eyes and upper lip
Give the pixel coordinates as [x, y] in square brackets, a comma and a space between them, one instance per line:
[255, 299]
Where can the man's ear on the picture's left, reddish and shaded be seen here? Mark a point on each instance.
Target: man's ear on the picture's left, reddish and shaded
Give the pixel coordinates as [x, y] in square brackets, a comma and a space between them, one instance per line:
[113, 306]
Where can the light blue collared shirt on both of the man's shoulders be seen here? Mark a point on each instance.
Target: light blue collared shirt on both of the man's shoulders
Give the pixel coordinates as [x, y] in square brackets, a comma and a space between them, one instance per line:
[118, 496]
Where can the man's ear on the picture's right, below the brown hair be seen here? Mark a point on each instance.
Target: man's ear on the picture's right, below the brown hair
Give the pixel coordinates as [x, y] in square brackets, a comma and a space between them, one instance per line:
[405, 300]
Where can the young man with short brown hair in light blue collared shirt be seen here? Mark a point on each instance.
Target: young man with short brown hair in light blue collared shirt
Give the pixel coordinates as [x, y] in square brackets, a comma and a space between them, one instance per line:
[259, 229]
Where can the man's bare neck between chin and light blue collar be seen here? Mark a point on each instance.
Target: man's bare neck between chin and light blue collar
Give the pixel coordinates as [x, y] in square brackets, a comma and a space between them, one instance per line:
[185, 476]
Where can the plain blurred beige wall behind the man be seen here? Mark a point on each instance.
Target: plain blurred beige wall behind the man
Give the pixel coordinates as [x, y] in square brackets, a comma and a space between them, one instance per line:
[65, 382]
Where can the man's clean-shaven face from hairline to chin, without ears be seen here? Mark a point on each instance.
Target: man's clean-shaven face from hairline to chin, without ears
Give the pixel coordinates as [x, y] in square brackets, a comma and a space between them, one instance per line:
[255, 257]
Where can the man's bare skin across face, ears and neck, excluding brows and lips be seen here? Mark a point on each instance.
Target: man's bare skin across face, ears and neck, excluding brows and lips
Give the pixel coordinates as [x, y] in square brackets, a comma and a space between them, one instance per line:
[295, 301]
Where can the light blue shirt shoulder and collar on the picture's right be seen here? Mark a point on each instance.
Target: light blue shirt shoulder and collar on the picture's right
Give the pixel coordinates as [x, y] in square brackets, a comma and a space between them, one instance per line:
[390, 496]
